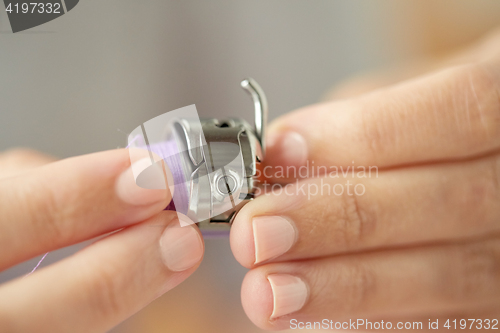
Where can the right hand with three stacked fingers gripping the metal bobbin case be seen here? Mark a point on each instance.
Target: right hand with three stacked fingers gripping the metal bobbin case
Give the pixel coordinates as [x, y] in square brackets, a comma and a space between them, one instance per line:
[416, 238]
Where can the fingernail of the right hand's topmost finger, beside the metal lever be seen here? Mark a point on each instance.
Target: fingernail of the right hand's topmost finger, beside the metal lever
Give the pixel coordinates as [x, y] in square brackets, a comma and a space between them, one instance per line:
[289, 148]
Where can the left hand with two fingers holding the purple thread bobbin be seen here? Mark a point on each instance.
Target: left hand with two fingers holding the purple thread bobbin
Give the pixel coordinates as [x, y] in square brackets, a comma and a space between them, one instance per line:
[45, 206]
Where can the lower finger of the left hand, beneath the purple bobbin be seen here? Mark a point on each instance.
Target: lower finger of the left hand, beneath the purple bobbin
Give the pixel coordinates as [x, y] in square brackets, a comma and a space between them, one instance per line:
[106, 282]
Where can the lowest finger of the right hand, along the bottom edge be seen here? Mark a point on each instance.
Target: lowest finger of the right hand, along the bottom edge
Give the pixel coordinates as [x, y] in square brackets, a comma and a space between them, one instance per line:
[408, 282]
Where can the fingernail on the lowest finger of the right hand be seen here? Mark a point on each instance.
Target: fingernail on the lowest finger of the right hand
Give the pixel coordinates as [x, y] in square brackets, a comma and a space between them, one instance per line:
[289, 294]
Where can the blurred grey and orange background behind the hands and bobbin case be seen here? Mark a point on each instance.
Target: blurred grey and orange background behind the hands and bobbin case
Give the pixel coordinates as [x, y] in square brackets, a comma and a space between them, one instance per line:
[80, 83]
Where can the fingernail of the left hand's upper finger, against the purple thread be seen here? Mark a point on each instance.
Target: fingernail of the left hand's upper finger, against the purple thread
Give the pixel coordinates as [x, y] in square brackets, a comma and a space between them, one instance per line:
[143, 183]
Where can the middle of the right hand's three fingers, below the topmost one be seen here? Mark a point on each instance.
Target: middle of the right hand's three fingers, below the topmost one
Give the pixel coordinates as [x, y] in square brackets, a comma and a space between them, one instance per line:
[327, 216]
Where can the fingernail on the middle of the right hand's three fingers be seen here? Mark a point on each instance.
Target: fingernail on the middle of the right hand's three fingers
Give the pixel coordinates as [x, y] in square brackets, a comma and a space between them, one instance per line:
[273, 236]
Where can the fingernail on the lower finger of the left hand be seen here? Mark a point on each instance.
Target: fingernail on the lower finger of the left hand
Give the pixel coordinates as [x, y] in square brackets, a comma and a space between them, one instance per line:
[181, 247]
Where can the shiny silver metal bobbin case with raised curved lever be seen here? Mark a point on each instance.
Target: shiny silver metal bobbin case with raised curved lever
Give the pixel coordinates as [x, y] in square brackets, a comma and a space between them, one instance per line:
[225, 180]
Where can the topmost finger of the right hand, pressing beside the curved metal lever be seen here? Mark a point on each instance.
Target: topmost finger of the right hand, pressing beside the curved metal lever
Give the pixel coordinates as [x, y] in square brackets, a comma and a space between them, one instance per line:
[449, 115]
